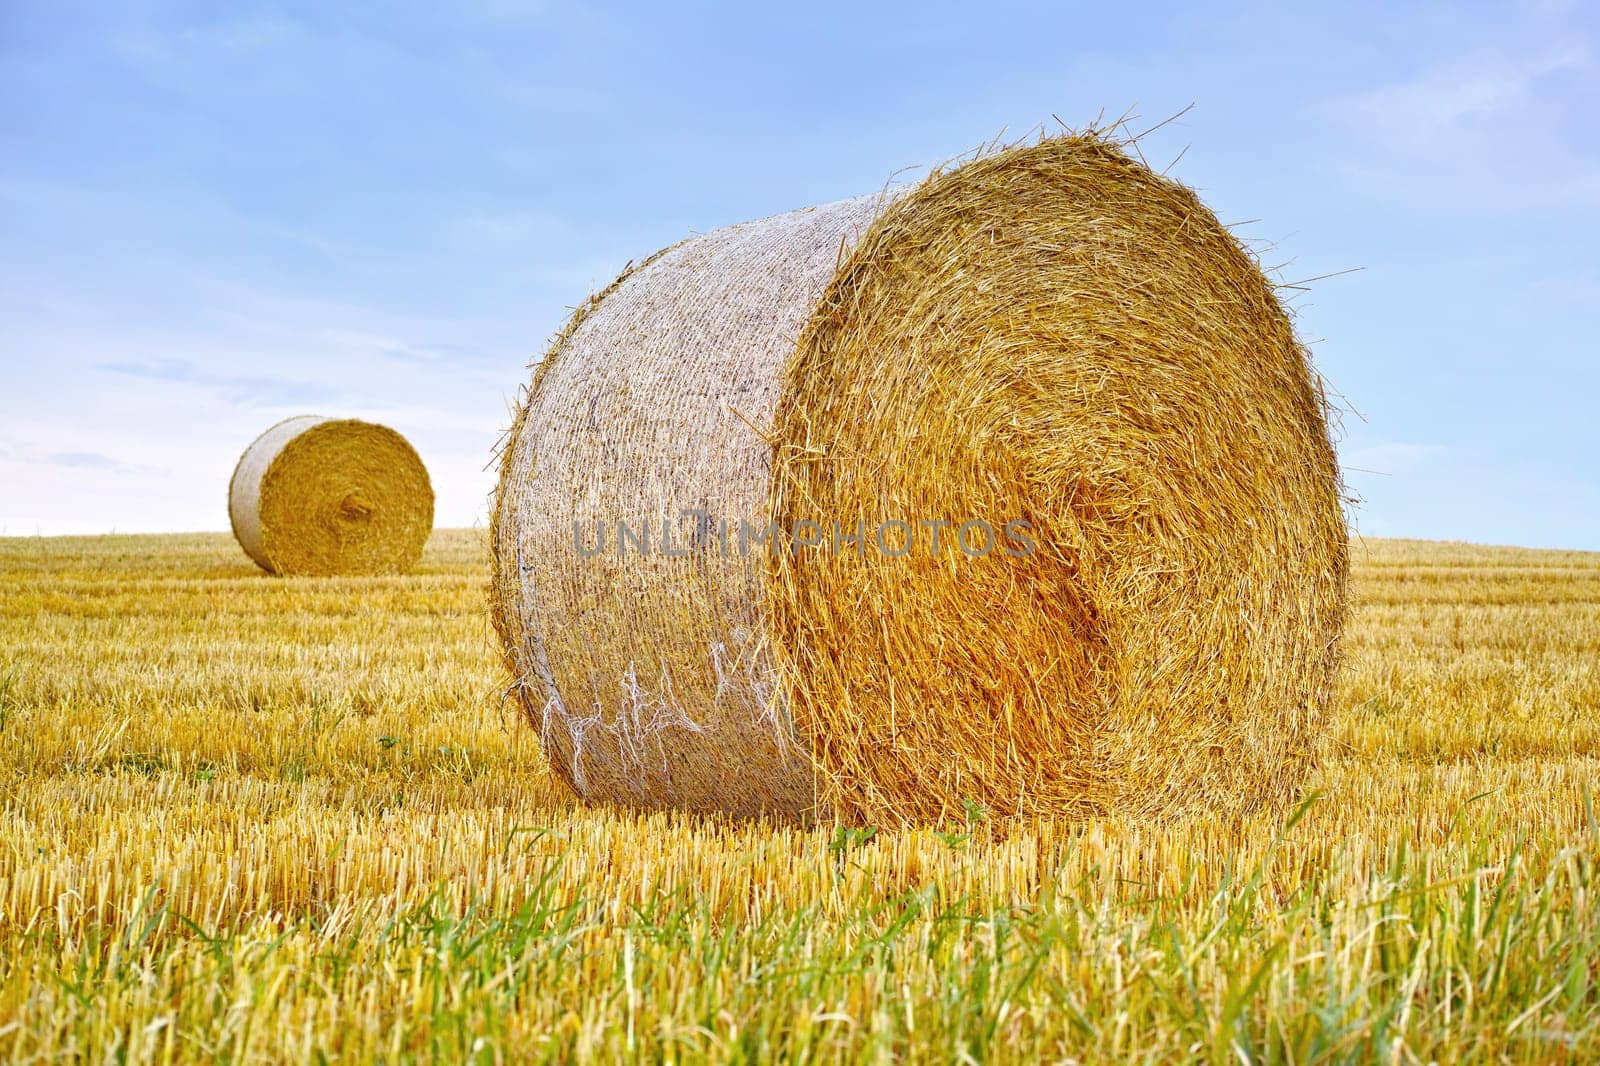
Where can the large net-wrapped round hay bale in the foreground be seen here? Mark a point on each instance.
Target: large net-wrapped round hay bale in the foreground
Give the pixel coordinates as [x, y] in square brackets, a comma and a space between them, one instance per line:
[1052, 337]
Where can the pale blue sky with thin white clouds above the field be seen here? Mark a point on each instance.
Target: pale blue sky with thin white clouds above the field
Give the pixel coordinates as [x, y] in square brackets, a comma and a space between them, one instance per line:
[217, 217]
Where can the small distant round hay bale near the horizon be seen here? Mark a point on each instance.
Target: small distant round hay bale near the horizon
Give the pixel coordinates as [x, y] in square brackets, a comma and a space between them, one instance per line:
[324, 497]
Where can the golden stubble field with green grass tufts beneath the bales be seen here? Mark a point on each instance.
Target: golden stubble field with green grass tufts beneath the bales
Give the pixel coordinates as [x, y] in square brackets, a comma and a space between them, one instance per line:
[250, 819]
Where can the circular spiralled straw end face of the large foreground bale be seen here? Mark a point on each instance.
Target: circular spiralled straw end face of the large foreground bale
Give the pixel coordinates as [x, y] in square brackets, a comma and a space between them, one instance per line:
[1074, 367]
